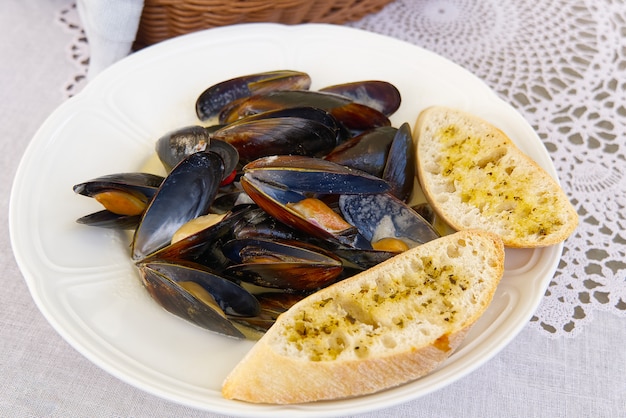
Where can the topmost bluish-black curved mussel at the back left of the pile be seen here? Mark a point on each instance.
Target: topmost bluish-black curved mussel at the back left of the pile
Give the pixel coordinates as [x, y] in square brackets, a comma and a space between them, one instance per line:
[214, 98]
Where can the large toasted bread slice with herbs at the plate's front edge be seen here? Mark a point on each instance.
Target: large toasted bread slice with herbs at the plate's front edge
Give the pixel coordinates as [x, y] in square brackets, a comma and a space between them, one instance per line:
[381, 328]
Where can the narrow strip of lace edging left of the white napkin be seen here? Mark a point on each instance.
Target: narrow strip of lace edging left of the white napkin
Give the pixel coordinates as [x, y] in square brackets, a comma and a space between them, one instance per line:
[78, 49]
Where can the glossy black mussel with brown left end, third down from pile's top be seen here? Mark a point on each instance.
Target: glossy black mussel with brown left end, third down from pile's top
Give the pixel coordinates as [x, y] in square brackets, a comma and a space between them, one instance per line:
[259, 137]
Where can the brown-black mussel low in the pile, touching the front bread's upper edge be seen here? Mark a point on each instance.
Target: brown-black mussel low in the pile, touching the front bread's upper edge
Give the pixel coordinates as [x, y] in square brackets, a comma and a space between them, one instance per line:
[284, 265]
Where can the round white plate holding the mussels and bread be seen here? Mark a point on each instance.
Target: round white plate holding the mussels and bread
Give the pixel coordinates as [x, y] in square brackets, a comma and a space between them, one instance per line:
[82, 278]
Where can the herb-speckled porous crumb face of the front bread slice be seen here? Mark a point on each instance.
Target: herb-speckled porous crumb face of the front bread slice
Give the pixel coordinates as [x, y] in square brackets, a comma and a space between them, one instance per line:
[403, 308]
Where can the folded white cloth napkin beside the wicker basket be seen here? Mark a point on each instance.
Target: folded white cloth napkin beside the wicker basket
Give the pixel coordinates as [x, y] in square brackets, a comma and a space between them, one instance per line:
[110, 27]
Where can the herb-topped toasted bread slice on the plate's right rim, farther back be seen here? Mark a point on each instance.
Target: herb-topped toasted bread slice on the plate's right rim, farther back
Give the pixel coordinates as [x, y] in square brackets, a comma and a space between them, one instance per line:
[474, 176]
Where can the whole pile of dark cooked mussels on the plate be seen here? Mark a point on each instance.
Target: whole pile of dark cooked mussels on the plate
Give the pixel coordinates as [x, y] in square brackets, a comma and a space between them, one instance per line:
[305, 187]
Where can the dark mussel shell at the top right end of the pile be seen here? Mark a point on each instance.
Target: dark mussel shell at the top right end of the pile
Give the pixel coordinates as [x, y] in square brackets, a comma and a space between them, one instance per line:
[380, 95]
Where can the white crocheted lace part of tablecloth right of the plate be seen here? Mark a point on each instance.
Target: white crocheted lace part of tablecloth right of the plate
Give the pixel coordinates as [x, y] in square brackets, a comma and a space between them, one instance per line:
[570, 85]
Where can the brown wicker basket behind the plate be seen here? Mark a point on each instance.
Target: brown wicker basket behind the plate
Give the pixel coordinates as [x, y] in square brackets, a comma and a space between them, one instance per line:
[164, 19]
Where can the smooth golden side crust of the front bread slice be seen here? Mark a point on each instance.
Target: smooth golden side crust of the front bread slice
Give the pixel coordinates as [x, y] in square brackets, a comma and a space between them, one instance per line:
[270, 378]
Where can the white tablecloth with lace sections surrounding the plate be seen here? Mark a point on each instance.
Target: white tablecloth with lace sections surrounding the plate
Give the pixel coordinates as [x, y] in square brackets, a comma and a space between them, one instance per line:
[561, 63]
